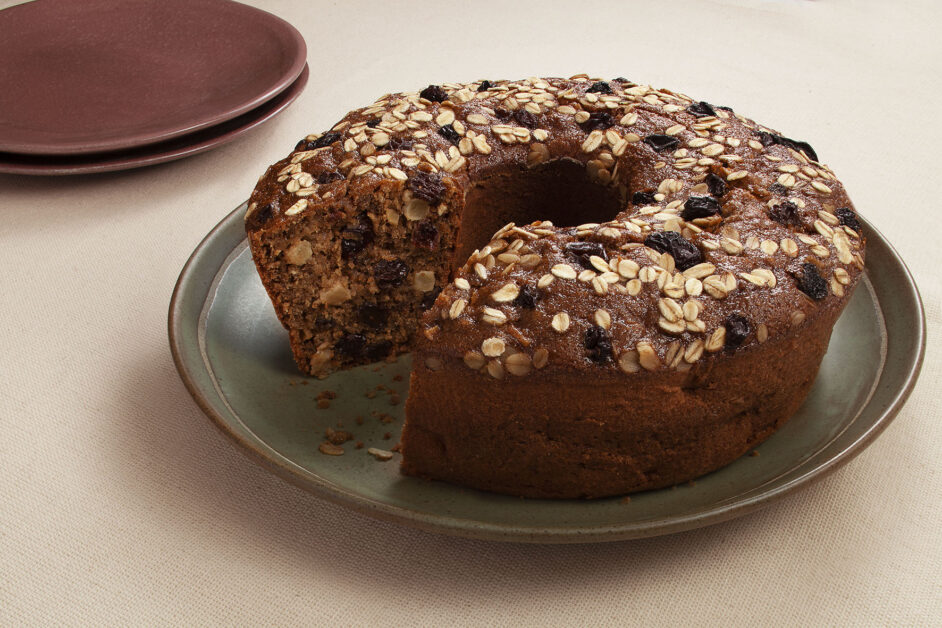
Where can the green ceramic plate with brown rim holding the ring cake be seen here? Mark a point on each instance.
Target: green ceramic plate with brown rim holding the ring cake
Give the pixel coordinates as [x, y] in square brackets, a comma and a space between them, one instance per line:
[233, 355]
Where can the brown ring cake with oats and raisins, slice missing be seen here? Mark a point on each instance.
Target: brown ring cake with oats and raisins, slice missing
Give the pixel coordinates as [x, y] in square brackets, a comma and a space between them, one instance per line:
[606, 287]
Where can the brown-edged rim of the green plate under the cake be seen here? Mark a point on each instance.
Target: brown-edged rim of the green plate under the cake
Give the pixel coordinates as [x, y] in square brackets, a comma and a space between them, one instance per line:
[468, 528]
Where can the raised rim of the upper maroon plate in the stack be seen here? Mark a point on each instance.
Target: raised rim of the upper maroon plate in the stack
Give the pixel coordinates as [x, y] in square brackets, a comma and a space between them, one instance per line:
[290, 39]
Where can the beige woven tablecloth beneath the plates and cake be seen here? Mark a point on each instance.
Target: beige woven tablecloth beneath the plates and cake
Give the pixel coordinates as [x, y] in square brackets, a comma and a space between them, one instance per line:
[120, 504]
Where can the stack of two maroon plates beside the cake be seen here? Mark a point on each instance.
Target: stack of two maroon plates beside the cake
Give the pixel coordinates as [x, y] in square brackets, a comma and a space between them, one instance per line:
[104, 85]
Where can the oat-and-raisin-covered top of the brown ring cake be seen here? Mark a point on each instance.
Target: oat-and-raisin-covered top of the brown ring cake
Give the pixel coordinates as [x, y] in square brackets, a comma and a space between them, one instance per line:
[718, 211]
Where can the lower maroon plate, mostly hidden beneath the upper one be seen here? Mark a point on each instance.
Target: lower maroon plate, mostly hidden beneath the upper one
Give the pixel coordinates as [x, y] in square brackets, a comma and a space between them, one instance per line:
[176, 148]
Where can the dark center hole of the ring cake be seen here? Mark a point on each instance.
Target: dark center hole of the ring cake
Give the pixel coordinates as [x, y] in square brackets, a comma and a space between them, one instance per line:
[561, 191]
